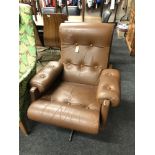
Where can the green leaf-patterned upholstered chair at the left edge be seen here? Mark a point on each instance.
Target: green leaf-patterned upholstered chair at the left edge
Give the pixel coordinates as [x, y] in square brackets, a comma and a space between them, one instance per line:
[27, 61]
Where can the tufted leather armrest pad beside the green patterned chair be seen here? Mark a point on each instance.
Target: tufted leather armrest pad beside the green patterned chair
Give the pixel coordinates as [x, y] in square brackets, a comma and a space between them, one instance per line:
[44, 78]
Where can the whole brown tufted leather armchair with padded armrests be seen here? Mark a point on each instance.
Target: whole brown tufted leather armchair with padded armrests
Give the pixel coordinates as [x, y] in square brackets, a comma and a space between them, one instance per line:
[77, 91]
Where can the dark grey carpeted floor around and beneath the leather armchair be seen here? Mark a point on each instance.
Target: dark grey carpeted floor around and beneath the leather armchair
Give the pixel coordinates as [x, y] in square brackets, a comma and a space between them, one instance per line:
[117, 139]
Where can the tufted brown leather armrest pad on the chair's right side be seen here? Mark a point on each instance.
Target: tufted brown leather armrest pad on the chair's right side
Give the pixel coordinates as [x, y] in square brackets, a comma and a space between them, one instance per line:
[109, 87]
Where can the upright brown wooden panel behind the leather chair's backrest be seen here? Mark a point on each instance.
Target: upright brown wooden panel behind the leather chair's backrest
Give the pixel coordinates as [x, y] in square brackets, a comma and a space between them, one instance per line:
[51, 29]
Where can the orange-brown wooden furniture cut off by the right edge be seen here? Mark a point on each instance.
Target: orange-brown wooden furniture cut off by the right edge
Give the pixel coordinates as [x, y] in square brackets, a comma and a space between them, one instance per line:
[130, 37]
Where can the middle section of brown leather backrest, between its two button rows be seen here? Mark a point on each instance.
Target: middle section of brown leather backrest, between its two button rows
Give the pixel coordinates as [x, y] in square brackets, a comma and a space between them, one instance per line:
[87, 55]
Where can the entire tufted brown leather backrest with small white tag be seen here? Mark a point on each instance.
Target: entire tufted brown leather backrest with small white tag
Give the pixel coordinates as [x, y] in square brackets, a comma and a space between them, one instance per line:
[85, 49]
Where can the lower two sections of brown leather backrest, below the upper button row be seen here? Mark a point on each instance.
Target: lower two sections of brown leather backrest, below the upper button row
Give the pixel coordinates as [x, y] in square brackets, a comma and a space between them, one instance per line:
[86, 65]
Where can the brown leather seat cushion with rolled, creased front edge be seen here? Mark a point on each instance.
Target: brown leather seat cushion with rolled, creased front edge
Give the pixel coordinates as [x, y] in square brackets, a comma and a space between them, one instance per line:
[69, 105]
